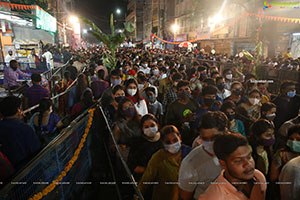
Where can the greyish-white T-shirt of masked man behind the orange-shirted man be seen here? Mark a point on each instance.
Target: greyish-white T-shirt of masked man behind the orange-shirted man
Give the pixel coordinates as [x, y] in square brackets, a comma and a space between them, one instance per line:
[197, 171]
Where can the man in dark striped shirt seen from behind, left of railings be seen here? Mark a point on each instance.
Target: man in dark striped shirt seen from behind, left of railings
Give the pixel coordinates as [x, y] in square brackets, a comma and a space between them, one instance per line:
[36, 92]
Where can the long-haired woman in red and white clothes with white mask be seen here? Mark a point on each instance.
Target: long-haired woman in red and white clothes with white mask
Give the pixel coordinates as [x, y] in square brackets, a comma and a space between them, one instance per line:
[132, 92]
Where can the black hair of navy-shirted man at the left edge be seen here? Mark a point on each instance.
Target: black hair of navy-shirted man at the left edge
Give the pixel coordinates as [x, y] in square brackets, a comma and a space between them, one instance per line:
[9, 106]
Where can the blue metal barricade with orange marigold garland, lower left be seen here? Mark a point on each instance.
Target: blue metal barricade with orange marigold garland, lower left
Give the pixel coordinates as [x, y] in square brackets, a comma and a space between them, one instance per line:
[49, 163]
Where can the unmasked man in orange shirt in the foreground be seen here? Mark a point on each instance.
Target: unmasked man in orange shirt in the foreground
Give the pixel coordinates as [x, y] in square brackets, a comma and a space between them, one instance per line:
[239, 179]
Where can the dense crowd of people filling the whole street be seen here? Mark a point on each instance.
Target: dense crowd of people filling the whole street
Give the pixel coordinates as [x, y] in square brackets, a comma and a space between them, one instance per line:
[187, 128]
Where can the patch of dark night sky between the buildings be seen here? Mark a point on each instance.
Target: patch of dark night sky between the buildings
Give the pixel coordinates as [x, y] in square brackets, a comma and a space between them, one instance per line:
[99, 11]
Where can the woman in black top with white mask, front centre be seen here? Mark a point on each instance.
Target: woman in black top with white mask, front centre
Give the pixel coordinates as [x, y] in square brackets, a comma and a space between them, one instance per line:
[144, 146]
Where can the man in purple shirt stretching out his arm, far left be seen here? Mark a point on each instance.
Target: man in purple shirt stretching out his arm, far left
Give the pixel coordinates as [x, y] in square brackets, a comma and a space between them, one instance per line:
[11, 75]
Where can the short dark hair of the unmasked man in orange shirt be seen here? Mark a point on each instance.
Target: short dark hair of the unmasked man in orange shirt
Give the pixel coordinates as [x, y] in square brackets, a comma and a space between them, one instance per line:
[226, 144]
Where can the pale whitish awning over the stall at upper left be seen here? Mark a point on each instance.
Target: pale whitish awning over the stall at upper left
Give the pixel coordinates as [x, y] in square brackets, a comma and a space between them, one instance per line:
[29, 35]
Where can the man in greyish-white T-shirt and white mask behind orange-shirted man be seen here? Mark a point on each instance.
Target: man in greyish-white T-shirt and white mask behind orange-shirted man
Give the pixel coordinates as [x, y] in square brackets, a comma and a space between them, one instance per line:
[201, 166]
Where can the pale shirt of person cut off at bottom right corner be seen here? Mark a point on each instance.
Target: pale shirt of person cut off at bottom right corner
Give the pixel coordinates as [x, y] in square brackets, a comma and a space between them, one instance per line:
[290, 175]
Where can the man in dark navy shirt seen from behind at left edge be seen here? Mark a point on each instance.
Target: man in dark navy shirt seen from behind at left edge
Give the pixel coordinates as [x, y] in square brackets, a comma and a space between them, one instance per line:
[18, 142]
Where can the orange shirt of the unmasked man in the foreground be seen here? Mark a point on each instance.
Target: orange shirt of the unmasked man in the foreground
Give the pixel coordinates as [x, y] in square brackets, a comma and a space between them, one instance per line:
[224, 190]
